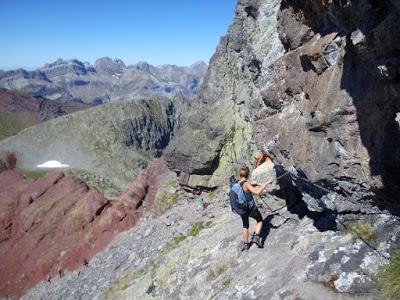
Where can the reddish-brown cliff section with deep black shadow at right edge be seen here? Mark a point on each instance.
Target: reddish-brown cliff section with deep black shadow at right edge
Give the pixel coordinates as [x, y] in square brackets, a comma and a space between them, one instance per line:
[332, 100]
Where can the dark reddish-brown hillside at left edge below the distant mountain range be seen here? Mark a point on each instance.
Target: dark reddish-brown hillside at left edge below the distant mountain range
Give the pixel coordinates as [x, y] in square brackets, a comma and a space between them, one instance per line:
[18, 111]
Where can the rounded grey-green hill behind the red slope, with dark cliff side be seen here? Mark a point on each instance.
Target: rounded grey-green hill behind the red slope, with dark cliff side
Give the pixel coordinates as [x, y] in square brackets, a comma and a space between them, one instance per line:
[105, 146]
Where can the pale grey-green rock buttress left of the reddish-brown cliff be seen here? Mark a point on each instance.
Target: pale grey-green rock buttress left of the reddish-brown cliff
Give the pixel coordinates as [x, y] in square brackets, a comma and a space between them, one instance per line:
[215, 136]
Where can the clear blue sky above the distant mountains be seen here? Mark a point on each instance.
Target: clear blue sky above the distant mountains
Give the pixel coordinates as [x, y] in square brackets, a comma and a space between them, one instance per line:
[34, 32]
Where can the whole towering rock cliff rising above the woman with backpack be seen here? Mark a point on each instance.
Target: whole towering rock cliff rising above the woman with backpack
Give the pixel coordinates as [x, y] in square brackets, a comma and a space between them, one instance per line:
[316, 84]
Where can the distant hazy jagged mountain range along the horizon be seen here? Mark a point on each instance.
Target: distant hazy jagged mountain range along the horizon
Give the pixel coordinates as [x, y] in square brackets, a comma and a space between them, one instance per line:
[107, 80]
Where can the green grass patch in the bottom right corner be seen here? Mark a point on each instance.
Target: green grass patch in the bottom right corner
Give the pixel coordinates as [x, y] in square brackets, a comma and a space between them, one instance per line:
[389, 279]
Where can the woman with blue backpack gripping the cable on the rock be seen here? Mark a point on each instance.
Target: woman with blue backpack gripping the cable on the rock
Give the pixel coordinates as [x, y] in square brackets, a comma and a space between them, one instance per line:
[242, 203]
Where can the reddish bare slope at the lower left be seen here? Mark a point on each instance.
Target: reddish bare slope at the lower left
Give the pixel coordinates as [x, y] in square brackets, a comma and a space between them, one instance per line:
[57, 222]
